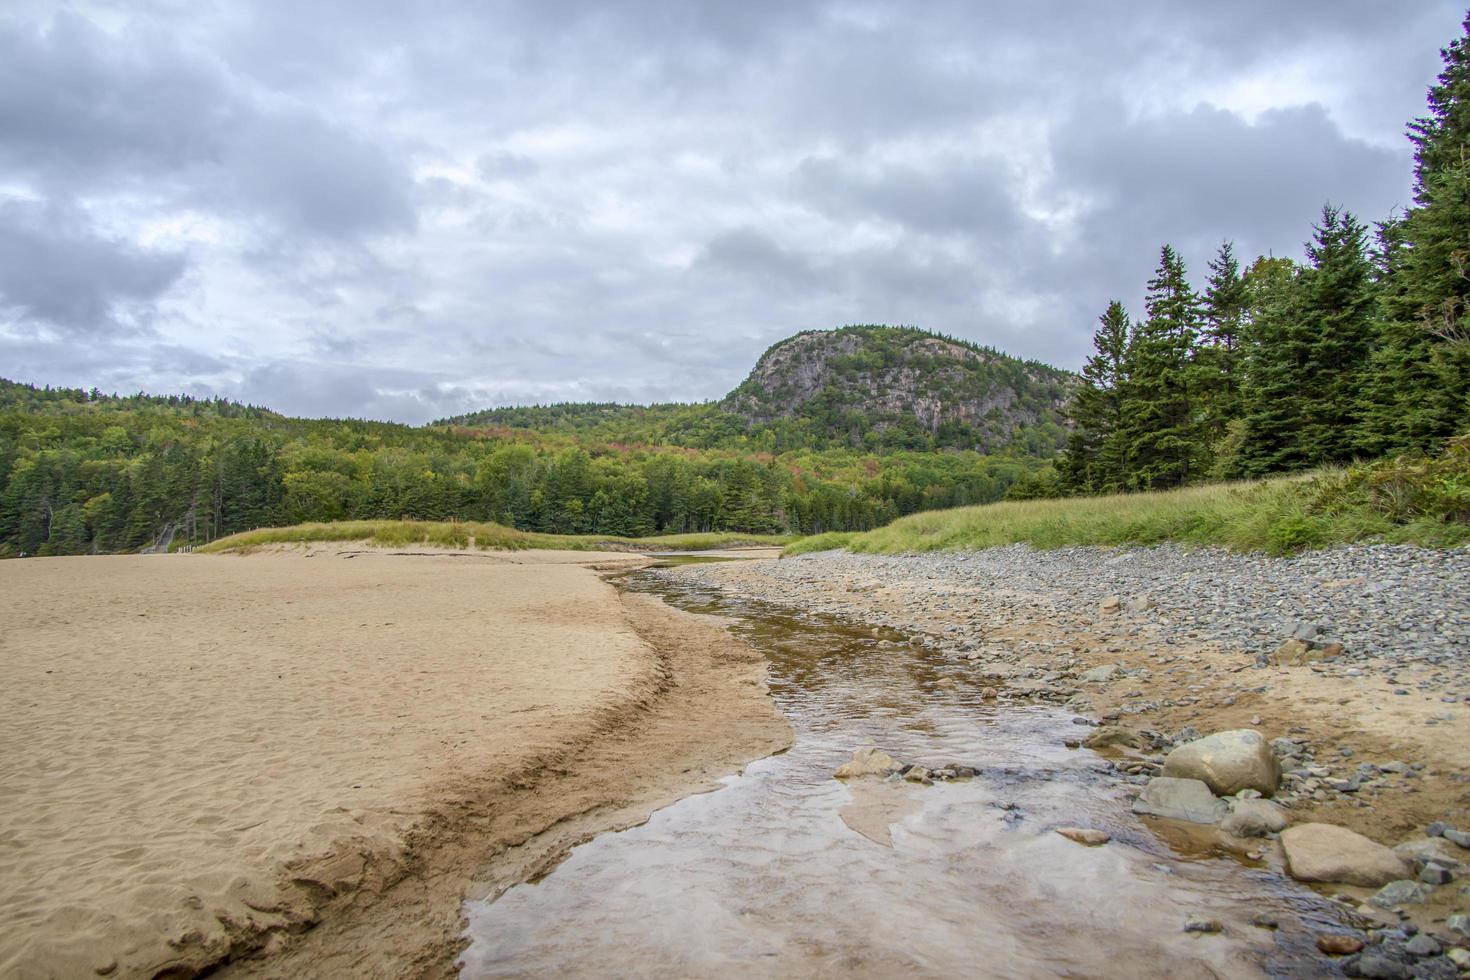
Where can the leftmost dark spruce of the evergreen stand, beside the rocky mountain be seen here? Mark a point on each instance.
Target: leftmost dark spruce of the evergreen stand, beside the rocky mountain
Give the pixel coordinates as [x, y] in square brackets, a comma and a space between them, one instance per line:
[1093, 461]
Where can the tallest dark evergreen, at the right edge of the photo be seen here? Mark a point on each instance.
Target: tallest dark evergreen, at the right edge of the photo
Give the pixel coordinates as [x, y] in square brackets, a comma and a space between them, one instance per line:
[1419, 393]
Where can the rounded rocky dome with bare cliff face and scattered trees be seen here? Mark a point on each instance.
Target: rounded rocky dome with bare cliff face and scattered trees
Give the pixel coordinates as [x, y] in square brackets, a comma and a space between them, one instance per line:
[899, 383]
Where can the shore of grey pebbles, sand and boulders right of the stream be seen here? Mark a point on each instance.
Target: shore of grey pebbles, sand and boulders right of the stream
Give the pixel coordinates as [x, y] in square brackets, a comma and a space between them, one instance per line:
[1308, 715]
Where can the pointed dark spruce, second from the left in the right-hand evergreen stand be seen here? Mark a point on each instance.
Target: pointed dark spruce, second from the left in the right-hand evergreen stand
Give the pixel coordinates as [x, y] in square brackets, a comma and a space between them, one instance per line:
[1161, 433]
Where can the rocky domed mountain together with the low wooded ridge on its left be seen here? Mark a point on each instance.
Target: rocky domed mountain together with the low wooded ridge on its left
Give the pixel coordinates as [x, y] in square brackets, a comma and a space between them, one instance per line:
[859, 387]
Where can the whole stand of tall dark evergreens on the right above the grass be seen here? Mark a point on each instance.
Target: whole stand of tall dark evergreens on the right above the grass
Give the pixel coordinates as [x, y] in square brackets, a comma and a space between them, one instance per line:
[1359, 352]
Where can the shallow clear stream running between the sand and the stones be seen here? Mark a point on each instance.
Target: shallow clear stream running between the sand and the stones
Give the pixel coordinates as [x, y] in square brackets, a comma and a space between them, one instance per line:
[789, 872]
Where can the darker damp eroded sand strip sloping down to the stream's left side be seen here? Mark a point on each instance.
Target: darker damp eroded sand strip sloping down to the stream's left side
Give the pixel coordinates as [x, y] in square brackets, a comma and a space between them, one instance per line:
[703, 713]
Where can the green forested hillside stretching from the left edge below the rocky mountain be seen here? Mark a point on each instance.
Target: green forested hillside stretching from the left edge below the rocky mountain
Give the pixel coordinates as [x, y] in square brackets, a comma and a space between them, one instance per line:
[83, 472]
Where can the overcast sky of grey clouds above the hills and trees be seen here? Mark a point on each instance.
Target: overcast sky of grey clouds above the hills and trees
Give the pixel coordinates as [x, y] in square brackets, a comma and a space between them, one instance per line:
[406, 212]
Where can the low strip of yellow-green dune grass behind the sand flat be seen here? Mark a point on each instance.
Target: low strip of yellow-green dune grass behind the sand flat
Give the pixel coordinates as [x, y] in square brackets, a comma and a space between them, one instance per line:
[399, 534]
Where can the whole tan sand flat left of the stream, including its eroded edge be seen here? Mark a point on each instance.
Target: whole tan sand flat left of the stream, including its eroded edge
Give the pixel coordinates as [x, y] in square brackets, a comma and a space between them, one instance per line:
[301, 762]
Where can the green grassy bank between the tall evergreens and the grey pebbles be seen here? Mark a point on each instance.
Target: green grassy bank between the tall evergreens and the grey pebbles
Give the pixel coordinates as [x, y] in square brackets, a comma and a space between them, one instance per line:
[1424, 502]
